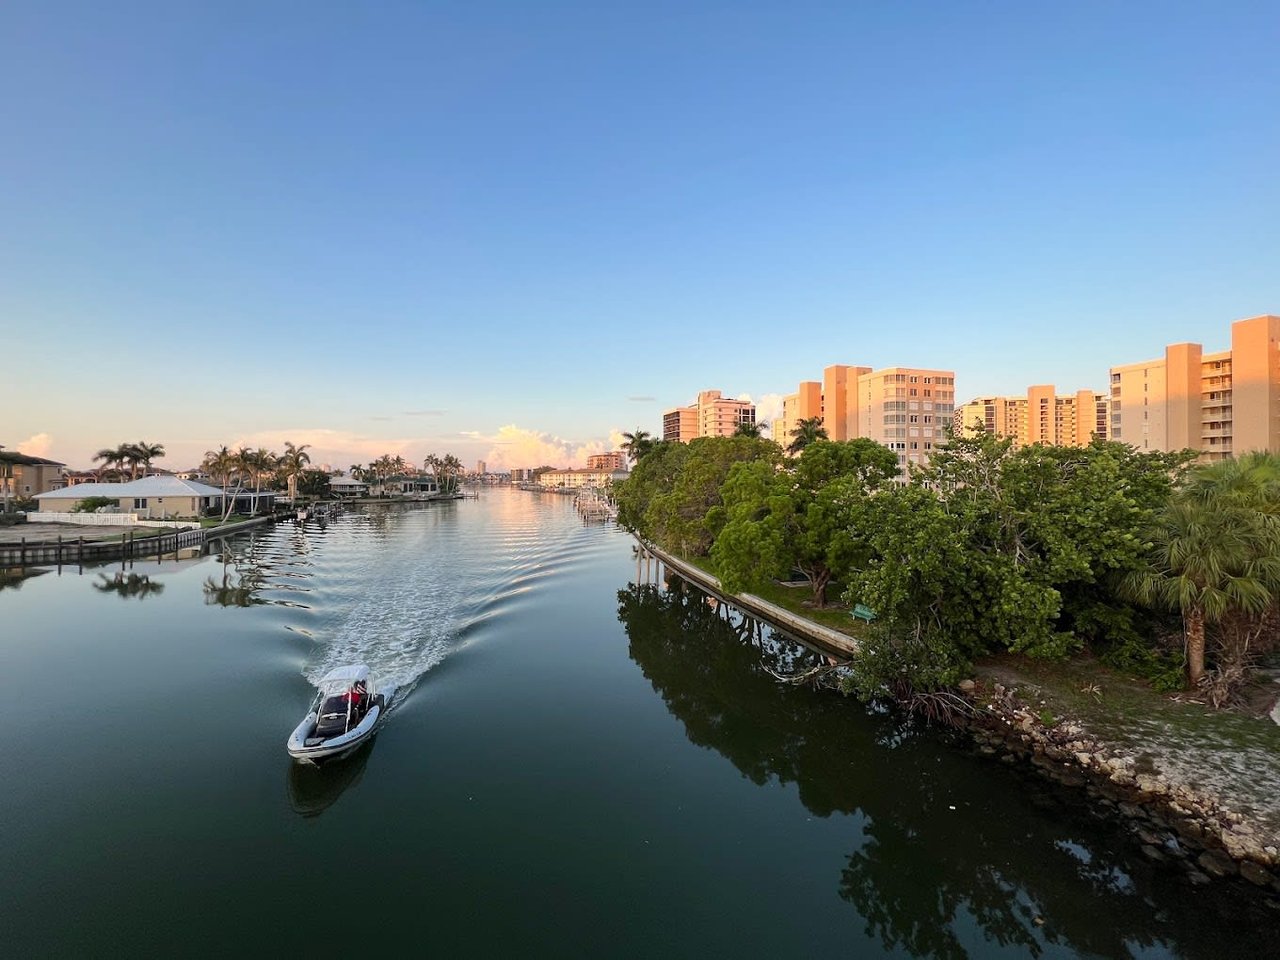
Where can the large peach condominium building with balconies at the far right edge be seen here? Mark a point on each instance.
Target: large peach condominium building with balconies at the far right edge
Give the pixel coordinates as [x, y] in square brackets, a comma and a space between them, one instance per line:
[1217, 404]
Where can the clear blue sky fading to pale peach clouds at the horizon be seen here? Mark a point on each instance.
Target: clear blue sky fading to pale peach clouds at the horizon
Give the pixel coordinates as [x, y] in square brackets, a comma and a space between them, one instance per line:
[511, 231]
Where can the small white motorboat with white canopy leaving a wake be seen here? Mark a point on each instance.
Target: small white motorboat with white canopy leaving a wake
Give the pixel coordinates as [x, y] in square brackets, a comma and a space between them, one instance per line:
[345, 715]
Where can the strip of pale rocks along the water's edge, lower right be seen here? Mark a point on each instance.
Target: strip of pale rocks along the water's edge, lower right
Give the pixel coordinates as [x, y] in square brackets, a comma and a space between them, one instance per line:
[1173, 820]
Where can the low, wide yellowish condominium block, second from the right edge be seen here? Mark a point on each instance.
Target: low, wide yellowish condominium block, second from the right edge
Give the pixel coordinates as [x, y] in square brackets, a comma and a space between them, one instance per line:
[1041, 417]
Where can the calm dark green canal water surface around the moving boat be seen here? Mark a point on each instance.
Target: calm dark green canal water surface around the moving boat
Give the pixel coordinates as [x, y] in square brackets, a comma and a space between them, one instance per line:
[575, 766]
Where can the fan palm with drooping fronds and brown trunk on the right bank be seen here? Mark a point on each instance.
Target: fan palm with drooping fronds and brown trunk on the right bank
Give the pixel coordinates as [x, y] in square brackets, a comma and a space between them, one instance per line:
[1210, 560]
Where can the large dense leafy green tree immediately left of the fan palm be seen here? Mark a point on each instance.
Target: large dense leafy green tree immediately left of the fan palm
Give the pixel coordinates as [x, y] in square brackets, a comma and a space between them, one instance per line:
[999, 550]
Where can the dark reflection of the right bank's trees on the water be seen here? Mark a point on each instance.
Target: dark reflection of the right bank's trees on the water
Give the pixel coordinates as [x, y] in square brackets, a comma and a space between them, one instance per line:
[953, 858]
